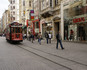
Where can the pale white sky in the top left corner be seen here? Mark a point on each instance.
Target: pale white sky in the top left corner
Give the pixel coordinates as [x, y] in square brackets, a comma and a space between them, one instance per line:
[3, 6]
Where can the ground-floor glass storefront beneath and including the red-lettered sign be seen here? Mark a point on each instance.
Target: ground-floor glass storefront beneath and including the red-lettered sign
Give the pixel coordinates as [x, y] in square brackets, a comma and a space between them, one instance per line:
[75, 29]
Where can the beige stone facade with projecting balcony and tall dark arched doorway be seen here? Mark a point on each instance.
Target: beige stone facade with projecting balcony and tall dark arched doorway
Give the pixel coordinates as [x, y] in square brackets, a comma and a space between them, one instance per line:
[50, 14]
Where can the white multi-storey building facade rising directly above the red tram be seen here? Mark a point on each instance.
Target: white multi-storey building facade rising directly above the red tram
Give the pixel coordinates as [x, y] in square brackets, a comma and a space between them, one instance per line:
[14, 10]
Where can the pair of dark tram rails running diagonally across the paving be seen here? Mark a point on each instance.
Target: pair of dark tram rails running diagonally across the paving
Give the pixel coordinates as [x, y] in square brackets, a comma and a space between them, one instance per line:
[65, 66]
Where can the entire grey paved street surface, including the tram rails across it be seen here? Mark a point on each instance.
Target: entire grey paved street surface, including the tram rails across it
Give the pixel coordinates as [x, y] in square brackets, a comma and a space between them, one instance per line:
[33, 56]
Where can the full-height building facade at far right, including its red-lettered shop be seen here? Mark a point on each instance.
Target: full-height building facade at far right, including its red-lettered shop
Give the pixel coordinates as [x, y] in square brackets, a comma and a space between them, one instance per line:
[75, 24]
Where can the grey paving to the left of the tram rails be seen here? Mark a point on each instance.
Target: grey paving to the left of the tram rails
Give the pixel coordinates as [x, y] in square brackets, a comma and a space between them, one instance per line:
[13, 57]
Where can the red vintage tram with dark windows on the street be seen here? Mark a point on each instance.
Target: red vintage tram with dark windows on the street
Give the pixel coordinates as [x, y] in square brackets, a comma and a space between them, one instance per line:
[14, 32]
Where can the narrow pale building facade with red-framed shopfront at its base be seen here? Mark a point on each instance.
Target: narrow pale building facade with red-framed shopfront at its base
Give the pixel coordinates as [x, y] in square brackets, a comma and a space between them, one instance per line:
[36, 21]
